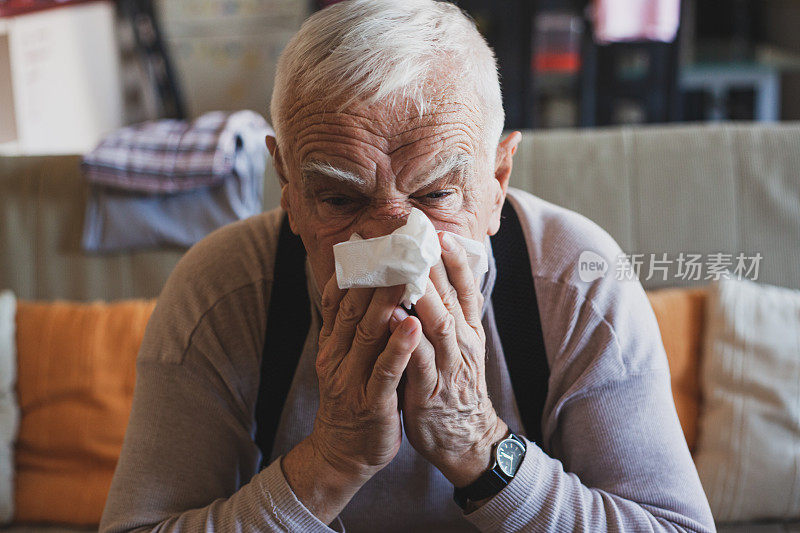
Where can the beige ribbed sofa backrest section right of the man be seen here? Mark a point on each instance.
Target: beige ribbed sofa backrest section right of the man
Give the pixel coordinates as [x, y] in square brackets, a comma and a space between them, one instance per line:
[732, 188]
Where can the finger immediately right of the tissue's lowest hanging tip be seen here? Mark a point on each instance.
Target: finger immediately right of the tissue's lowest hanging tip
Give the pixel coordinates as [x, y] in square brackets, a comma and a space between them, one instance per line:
[439, 326]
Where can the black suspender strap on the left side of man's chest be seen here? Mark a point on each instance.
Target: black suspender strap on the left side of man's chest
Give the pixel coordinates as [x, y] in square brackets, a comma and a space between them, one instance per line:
[288, 320]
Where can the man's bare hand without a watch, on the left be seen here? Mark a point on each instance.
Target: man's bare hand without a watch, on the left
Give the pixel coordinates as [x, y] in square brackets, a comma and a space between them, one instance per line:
[357, 430]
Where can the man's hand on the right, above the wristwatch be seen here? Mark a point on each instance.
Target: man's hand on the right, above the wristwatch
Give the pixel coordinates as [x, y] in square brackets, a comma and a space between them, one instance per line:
[448, 416]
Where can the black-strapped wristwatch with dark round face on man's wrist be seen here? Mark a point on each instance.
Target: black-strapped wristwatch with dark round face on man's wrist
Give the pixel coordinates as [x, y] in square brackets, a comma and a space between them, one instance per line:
[507, 456]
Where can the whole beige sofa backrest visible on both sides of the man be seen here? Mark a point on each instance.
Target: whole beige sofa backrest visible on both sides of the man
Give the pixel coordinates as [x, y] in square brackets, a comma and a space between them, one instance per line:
[702, 189]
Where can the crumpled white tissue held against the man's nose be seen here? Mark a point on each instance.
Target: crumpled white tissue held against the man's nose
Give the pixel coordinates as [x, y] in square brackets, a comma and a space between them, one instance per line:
[404, 257]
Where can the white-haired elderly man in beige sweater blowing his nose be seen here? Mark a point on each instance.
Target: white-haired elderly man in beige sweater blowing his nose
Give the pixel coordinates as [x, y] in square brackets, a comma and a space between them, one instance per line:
[380, 107]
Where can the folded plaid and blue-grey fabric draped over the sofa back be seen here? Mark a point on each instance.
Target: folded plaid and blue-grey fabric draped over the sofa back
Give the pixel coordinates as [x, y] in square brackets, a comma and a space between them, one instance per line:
[170, 183]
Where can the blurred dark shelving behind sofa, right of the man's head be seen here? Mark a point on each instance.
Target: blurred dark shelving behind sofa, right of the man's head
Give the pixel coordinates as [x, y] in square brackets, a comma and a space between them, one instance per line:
[730, 59]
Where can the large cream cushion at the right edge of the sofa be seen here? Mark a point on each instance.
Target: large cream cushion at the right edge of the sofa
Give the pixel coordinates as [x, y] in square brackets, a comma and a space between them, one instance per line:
[748, 453]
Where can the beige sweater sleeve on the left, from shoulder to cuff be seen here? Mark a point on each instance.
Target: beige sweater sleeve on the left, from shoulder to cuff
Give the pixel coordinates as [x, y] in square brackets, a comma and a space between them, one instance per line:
[189, 462]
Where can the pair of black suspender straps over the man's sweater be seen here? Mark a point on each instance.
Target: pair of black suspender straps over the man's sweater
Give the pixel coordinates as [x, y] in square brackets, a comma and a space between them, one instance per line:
[515, 308]
